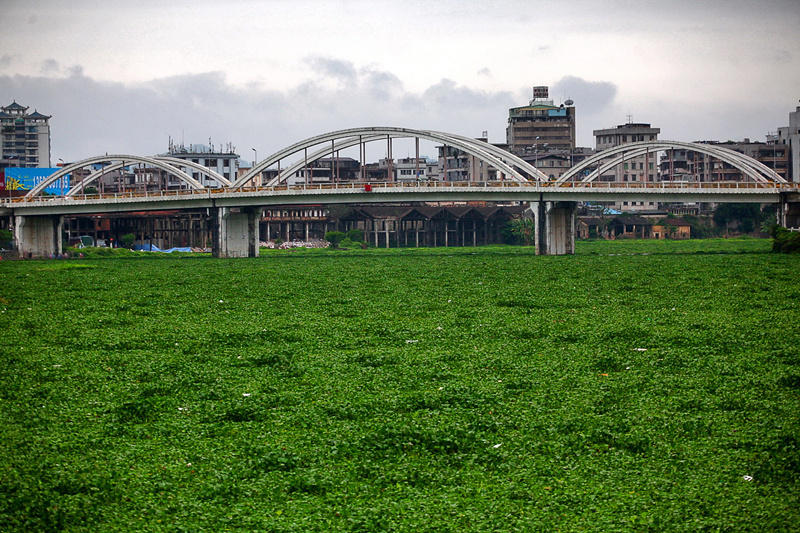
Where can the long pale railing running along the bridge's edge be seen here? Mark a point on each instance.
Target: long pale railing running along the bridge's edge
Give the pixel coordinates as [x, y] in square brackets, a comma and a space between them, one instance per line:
[382, 185]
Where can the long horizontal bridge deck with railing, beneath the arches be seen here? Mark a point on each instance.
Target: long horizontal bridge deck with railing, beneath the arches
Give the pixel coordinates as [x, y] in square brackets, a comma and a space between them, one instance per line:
[403, 192]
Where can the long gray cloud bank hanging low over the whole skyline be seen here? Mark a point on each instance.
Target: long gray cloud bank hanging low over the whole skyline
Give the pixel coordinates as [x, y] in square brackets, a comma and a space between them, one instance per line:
[92, 117]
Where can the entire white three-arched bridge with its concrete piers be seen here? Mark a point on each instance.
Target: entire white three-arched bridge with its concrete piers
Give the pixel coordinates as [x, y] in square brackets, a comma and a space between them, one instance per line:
[553, 201]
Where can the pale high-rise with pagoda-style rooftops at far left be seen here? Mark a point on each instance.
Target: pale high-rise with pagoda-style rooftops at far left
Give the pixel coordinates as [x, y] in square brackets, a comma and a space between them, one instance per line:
[24, 137]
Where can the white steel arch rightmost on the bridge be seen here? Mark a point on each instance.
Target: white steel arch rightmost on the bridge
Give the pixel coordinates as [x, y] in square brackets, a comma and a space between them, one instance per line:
[747, 165]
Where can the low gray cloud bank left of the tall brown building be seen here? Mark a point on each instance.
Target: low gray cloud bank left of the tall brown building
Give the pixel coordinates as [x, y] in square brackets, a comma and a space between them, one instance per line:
[92, 117]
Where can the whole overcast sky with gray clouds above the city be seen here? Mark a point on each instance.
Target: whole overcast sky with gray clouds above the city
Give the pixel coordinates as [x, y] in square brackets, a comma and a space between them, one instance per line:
[122, 77]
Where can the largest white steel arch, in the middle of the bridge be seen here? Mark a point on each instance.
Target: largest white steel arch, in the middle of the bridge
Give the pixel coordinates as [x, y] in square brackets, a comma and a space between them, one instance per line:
[472, 147]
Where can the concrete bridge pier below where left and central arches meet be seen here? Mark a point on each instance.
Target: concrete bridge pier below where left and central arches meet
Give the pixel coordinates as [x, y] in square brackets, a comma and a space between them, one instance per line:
[236, 232]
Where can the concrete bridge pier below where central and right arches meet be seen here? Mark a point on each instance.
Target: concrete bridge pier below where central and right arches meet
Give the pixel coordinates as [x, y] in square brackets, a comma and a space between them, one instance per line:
[554, 227]
